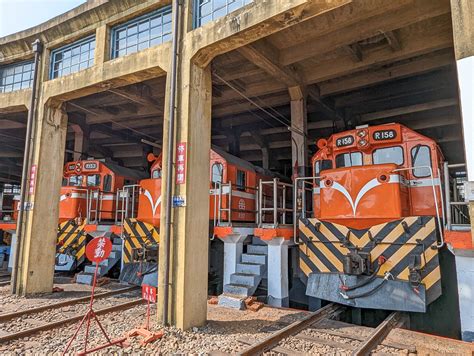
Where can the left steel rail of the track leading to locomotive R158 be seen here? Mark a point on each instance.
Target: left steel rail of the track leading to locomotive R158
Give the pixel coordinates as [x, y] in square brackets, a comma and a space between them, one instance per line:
[272, 340]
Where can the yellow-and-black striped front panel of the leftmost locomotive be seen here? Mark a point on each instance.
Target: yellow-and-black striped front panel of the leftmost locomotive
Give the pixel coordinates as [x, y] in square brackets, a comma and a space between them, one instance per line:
[72, 240]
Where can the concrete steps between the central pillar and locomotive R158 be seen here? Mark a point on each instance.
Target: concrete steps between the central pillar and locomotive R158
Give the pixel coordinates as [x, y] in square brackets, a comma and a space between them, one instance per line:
[244, 282]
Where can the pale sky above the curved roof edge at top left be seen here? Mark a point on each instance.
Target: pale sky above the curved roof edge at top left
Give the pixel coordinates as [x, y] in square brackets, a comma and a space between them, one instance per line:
[18, 15]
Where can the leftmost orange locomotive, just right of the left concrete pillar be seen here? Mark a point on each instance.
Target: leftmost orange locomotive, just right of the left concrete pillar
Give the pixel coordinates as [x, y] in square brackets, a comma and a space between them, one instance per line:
[89, 203]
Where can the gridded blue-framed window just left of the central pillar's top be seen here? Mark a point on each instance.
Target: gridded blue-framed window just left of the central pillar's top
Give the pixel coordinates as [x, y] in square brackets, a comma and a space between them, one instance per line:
[161, 12]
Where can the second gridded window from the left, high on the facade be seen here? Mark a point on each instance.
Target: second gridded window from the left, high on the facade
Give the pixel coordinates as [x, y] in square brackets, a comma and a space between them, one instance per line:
[72, 58]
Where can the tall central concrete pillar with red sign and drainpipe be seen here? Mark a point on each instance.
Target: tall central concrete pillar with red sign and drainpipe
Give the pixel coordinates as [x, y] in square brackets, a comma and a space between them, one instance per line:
[190, 223]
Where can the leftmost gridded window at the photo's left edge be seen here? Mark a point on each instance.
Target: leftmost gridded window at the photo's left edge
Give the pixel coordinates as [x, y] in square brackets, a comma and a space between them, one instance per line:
[16, 76]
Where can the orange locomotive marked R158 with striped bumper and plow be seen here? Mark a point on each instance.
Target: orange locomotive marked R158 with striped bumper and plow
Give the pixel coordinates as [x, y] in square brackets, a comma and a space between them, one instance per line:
[374, 238]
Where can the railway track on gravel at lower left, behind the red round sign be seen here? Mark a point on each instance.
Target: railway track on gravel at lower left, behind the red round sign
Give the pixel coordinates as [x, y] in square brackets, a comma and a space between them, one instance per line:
[47, 315]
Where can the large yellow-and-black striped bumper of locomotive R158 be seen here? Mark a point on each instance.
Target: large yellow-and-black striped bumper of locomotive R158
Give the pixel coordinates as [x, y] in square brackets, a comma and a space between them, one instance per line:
[324, 247]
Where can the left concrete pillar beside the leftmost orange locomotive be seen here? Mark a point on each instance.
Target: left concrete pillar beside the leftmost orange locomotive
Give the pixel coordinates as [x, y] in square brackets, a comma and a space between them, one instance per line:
[38, 244]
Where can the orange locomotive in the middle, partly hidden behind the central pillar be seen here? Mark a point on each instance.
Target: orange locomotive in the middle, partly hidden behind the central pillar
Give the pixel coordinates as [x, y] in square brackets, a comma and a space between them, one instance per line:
[233, 194]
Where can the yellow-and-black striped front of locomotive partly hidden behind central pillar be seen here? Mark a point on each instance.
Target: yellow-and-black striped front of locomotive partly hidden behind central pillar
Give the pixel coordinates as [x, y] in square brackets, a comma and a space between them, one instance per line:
[137, 235]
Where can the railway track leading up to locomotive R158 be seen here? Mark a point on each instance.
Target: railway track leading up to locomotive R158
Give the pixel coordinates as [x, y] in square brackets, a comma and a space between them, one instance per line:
[305, 332]
